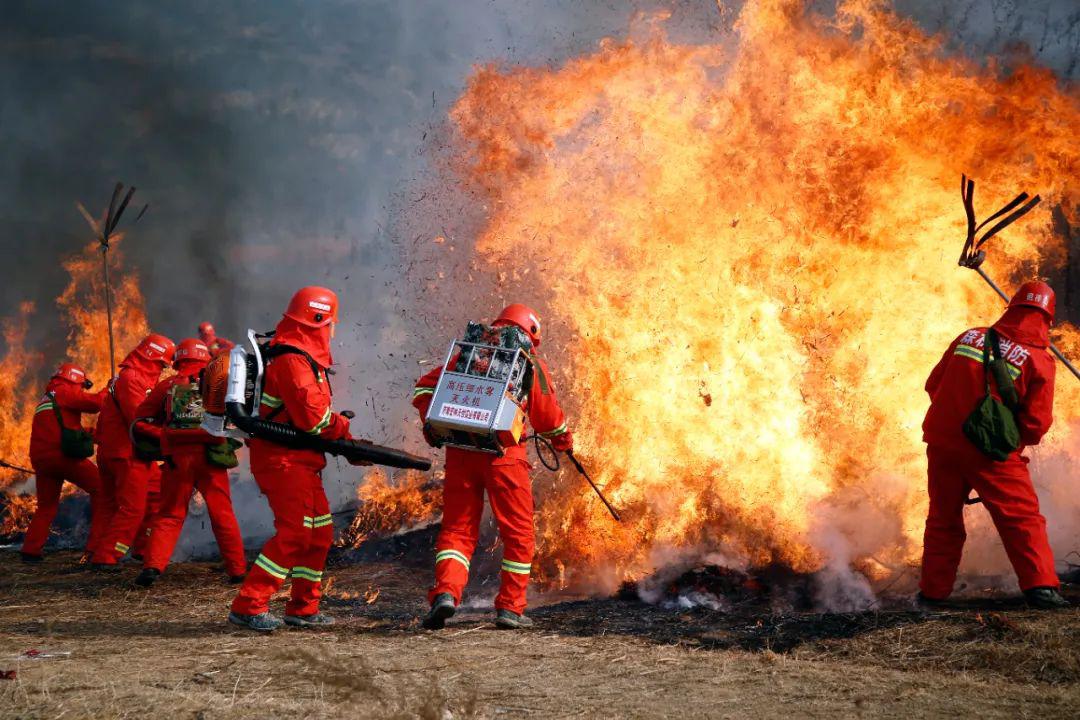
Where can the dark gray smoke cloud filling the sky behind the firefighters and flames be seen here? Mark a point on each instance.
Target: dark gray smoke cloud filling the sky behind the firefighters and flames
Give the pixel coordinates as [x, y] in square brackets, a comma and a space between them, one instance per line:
[291, 143]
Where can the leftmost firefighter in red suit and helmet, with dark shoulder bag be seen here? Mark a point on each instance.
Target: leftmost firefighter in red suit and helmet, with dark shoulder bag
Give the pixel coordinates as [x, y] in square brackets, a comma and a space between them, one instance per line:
[66, 399]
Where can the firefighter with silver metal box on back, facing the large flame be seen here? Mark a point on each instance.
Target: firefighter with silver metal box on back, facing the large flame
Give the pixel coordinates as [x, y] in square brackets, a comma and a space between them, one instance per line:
[477, 405]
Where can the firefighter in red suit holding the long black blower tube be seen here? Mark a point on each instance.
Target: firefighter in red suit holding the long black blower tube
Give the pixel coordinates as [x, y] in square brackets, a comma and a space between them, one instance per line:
[296, 391]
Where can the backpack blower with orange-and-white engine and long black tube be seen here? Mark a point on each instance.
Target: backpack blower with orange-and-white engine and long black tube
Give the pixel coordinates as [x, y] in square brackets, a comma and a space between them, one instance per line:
[232, 387]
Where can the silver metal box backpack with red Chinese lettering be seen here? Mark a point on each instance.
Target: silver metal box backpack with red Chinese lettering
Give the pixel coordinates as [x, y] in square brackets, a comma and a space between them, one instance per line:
[479, 402]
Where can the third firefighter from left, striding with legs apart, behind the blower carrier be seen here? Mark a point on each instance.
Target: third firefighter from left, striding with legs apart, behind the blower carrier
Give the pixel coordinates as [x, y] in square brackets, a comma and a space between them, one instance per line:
[173, 413]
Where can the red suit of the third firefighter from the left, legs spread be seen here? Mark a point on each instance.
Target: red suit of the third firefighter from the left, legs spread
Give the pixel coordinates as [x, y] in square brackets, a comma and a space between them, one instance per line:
[187, 470]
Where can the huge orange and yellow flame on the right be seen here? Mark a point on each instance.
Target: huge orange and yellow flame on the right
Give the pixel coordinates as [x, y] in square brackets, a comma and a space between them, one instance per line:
[751, 250]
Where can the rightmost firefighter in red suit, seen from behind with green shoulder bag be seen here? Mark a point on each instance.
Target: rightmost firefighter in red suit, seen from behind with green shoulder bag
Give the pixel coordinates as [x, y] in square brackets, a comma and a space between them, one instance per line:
[956, 468]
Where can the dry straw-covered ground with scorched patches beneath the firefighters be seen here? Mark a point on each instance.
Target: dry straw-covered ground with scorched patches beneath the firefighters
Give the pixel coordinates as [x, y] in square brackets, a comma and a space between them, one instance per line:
[121, 651]
